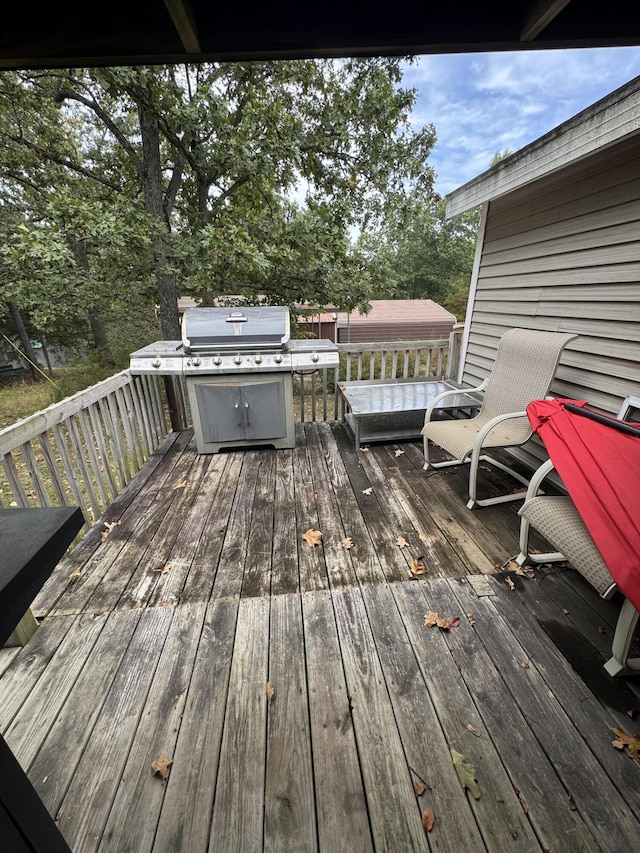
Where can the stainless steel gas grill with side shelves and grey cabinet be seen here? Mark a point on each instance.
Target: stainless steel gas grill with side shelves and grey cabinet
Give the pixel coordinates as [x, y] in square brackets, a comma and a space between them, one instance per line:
[239, 366]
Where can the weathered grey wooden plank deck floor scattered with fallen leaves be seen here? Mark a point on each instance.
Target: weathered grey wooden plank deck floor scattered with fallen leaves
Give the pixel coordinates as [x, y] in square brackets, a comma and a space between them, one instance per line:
[161, 638]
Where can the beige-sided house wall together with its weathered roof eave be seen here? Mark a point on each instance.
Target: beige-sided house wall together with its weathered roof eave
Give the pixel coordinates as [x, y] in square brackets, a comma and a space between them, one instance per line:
[559, 249]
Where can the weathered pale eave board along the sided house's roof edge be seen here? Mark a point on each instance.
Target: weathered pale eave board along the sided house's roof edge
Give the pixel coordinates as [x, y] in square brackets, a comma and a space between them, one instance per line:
[610, 120]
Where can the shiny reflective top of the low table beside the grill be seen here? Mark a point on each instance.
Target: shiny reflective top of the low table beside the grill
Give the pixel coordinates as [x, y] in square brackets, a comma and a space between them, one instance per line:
[401, 395]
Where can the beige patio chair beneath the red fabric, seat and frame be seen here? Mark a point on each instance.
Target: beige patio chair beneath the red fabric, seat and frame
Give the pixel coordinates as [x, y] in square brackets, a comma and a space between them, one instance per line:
[558, 520]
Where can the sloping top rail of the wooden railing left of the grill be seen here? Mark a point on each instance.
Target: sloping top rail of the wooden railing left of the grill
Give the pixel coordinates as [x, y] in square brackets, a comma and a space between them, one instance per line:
[24, 430]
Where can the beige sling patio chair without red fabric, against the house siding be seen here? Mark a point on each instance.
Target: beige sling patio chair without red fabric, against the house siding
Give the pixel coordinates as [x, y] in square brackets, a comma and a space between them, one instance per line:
[525, 365]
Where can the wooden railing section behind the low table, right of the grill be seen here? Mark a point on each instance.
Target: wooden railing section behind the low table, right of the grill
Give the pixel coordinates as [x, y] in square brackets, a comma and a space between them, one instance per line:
[437, 359]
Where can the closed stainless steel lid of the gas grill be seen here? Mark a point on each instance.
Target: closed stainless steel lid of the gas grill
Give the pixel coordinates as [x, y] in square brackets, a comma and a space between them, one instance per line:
[212, 329]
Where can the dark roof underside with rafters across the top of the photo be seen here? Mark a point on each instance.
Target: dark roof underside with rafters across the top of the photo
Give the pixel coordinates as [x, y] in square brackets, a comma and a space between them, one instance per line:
[122, 32]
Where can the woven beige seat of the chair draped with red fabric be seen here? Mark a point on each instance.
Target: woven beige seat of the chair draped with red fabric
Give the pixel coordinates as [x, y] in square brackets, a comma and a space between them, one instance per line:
[560, 523]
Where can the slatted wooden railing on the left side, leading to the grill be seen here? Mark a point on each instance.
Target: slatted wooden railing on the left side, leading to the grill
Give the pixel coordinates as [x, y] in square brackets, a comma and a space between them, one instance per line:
[84, 450]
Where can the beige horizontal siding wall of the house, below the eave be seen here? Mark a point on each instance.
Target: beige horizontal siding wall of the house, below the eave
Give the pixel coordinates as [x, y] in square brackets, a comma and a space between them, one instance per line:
[563, 253]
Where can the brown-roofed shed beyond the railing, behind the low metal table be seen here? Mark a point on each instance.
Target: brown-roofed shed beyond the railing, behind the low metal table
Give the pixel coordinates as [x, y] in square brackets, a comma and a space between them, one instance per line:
[396, 320]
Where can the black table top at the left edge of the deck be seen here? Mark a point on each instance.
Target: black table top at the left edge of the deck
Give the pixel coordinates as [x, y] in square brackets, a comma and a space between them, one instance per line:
[32, 541]
